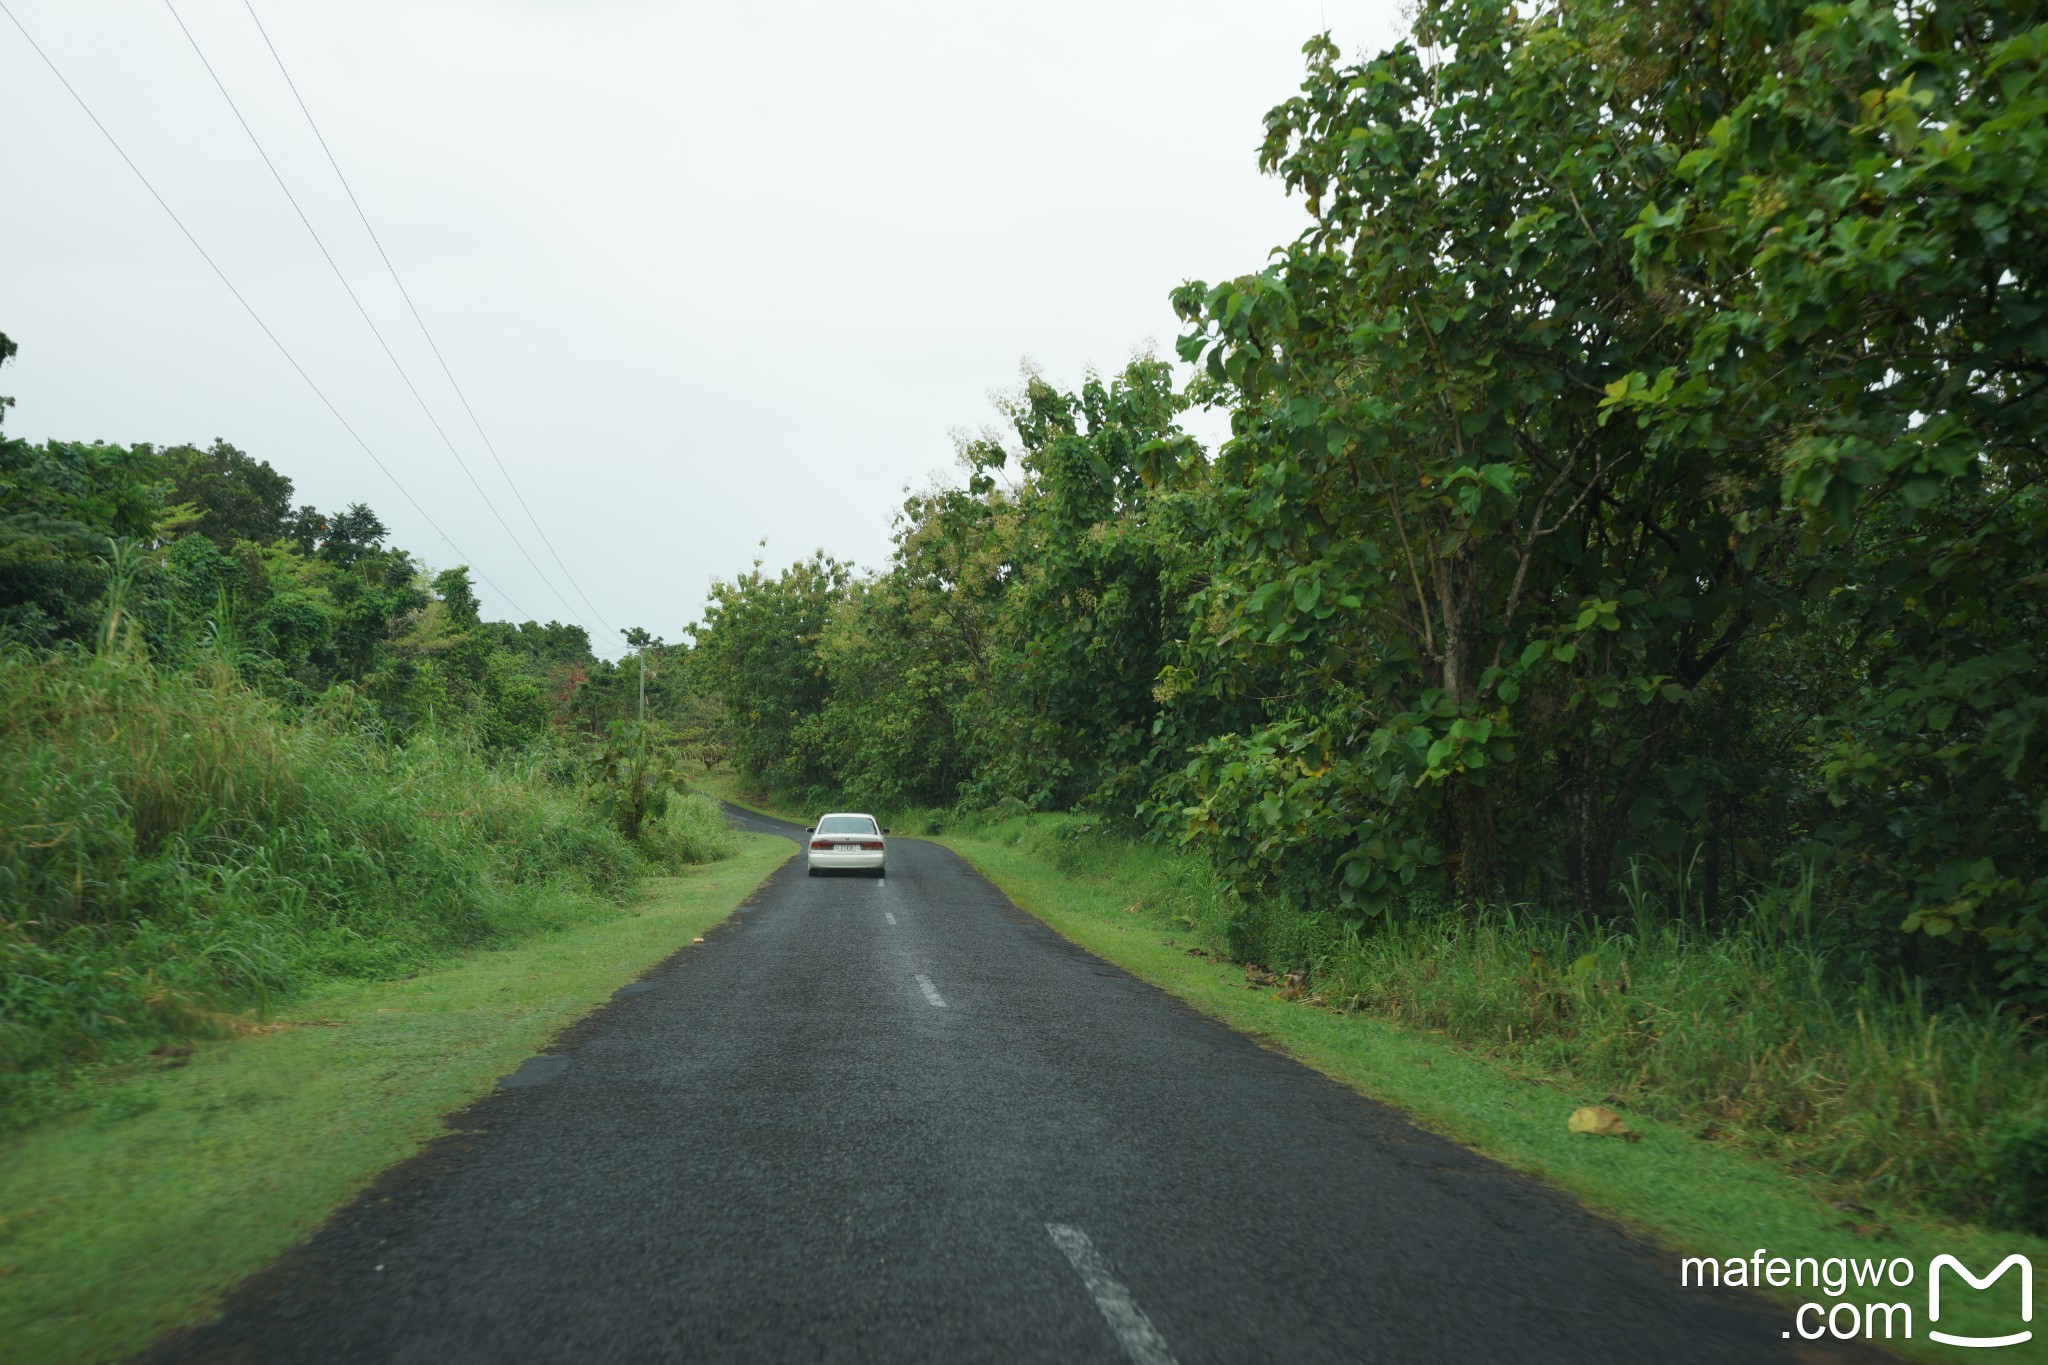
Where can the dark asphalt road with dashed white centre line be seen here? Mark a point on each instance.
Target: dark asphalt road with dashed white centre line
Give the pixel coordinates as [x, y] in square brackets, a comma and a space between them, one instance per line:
[898, 1120]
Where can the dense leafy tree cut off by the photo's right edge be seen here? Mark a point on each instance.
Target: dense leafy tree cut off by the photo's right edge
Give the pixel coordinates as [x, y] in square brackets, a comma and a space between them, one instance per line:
[1861, 247]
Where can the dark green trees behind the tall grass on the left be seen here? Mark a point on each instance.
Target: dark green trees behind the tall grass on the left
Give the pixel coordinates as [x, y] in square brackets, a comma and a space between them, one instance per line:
[206, 556]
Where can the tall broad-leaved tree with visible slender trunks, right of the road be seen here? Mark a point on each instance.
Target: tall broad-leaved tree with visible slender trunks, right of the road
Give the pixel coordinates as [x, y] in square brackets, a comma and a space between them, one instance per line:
[1496, 605]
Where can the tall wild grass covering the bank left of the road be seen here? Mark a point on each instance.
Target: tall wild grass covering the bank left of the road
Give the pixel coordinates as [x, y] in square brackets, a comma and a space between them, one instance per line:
[177, 850]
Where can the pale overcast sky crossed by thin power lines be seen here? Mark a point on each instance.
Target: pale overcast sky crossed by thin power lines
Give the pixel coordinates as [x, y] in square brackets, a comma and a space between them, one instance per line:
[708, 273]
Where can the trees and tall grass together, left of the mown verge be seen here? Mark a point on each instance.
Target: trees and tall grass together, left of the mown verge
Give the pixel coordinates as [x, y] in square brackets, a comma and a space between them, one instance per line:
[249, 748]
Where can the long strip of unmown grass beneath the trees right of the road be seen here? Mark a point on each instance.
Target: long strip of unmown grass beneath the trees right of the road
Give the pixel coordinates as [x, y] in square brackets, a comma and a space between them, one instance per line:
[1756, 1030]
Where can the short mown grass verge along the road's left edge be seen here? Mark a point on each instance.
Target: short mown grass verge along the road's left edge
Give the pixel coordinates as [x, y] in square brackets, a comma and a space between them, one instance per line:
[132, 1219]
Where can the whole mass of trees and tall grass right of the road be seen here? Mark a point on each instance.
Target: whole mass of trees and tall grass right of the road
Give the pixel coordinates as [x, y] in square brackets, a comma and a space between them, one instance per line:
[1613, 631]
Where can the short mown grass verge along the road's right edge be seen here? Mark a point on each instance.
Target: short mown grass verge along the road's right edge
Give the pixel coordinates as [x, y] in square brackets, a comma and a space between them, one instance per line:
[1672, 1188]
